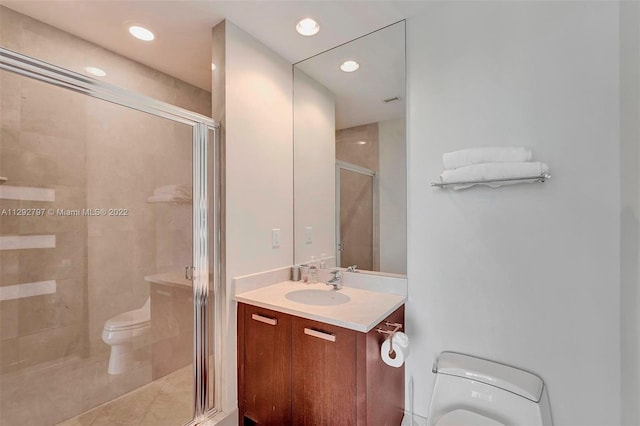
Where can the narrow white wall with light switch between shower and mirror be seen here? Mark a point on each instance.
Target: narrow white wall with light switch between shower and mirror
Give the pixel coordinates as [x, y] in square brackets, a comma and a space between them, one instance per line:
[259, 173]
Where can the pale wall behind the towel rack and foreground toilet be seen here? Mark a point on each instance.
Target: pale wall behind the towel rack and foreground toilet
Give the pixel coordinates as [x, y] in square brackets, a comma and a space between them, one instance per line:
[529, 274]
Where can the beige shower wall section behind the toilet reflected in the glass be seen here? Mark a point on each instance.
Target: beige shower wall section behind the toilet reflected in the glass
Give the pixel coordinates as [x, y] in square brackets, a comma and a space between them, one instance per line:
[125, 164]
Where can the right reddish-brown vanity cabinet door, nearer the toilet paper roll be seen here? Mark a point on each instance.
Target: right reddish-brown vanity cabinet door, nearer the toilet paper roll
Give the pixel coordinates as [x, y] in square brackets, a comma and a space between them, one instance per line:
[324, 374]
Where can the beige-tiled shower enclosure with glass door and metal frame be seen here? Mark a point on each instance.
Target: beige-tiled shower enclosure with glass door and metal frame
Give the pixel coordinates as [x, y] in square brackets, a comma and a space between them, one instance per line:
[108, 267]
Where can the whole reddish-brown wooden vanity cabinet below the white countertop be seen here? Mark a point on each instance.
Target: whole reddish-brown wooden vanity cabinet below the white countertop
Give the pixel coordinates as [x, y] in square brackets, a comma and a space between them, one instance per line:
[308, 373]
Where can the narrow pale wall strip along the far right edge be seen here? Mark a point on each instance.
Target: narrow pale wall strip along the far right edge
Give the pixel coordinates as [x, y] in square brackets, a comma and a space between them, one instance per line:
[630, 209]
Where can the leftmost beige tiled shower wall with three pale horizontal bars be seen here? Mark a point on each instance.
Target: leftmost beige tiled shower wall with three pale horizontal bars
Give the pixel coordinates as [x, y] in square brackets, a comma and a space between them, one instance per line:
[42, 152]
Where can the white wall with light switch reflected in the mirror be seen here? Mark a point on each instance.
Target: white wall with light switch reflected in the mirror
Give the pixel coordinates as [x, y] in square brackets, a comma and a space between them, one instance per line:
[315, 154]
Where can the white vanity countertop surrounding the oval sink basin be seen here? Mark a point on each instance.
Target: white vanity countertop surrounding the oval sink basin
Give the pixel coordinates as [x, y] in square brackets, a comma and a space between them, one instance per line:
[362, 312]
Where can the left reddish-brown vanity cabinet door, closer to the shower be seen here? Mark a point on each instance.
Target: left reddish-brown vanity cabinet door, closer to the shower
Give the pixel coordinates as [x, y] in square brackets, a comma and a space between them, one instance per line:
[264, 376]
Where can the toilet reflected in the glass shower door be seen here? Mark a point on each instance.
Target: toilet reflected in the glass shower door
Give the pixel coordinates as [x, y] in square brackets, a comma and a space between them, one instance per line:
[125, 333]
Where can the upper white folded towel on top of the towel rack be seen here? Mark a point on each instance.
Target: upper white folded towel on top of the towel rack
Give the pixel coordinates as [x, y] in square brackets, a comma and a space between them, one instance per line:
[467, 157]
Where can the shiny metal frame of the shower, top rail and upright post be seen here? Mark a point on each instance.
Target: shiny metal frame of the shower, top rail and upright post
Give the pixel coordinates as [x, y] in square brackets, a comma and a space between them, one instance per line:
[42, 71]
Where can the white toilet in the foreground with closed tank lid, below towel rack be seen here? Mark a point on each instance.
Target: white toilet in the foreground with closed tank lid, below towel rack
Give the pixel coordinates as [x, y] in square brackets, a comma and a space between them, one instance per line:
[474, 391]
